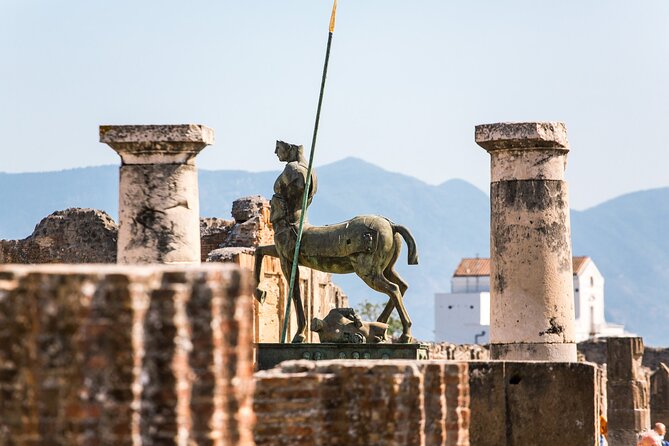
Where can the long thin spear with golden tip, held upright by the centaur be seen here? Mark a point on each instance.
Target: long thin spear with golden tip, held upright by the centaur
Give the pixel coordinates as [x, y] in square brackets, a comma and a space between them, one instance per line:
[293, 270]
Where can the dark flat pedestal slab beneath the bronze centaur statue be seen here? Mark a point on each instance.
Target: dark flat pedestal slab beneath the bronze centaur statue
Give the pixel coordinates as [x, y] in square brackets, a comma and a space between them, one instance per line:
[269, 355]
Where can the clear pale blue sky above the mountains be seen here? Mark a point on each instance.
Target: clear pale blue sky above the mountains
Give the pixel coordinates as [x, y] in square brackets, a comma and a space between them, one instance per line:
[409, 80]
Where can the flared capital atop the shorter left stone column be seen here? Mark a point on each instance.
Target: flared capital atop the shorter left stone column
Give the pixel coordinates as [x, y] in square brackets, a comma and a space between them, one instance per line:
[157, 144]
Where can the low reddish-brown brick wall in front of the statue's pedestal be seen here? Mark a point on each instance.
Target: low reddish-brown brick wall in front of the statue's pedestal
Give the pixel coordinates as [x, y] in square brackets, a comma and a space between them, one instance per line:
[363, 403]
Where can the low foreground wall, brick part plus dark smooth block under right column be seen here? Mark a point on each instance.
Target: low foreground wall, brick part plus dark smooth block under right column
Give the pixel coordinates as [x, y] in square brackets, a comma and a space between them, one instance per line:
[434, 402]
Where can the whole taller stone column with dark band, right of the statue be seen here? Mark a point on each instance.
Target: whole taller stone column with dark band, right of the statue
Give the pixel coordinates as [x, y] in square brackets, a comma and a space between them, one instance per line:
[531, 285]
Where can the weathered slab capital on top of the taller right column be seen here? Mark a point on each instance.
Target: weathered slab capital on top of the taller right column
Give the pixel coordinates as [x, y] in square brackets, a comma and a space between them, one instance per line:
[522, 135]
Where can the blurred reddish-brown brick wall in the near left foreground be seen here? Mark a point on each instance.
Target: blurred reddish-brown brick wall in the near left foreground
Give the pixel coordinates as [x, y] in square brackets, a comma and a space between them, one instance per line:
[149, 355]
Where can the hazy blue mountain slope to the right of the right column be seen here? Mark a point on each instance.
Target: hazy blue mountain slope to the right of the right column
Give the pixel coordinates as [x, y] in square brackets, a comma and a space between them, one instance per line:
[628, 237]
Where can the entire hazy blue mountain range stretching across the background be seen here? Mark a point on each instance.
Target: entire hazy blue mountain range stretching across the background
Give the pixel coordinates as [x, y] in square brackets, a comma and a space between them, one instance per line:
[625, 236]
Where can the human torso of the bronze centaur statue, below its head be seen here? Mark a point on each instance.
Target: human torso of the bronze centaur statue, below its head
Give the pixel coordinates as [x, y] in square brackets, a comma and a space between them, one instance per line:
[286, 203]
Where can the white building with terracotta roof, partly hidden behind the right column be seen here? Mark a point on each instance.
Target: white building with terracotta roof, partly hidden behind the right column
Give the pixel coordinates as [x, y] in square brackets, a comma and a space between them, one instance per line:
[463, 315]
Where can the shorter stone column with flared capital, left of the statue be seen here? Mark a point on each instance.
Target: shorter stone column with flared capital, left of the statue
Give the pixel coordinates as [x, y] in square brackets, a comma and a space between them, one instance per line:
[159, 209]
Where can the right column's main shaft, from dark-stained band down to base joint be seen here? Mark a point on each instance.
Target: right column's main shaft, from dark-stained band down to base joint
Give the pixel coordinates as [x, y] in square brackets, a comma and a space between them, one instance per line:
[532, 263]
